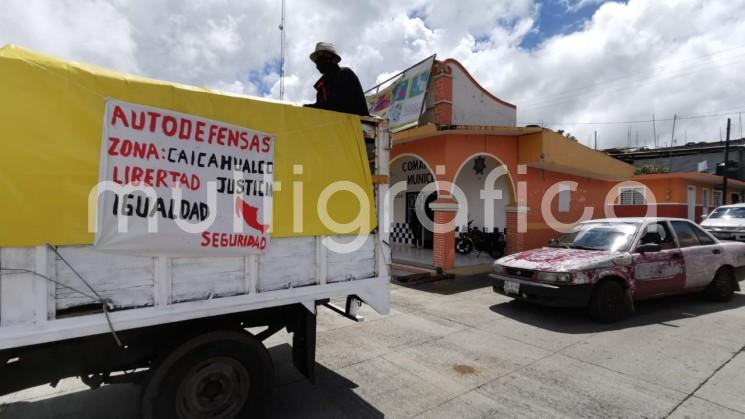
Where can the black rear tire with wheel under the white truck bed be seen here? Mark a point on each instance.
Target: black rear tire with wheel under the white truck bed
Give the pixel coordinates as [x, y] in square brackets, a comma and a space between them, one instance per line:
[223, 374]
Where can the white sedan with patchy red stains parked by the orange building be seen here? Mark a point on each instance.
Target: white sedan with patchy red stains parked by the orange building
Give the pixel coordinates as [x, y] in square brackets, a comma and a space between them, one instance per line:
[606, 265]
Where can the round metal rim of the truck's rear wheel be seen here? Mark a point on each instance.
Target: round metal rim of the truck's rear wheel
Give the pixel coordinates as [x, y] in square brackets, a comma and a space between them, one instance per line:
[215, 388]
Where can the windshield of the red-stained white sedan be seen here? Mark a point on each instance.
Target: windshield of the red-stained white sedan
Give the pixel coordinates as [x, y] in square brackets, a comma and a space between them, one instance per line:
[611, 236]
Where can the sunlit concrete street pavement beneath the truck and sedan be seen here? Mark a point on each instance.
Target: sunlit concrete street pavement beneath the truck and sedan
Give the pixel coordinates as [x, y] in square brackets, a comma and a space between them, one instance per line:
[456, 349]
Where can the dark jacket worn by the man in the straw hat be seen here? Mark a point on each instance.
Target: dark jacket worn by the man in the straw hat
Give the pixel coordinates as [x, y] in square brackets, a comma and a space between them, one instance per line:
[340, 91]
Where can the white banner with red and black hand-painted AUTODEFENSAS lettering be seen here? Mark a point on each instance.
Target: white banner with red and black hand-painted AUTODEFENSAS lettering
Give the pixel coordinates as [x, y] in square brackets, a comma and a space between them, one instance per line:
[178, 184]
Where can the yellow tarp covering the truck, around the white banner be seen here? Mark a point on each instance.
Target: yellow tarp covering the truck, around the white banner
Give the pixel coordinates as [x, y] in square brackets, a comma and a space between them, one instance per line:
[51, 115]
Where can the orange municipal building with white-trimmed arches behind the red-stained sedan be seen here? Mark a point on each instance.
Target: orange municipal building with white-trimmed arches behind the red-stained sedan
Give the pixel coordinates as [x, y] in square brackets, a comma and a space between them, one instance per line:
[467, 161]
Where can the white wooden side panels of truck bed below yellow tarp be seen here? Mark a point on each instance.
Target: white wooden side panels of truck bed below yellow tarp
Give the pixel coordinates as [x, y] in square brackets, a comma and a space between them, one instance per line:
[45, 301]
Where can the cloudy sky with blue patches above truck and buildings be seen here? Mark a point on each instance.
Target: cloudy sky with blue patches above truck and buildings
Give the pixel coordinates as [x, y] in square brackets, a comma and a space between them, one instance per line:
[578, 65]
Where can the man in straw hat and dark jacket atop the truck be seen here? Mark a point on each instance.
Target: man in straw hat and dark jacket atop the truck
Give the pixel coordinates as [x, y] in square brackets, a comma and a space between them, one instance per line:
[339, 88]
